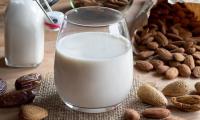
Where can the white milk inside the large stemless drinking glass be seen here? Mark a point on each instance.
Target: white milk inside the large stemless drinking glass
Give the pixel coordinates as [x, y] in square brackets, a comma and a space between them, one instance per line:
[93, 69]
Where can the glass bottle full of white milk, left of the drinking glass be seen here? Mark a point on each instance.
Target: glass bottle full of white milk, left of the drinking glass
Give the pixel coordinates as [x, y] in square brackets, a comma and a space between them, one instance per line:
[24, 34]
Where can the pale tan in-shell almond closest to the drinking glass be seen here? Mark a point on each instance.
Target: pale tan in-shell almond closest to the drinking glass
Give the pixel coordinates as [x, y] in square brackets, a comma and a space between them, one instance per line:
[152, 97]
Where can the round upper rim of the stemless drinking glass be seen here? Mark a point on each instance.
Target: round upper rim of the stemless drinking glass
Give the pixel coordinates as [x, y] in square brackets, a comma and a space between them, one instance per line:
[122, 16]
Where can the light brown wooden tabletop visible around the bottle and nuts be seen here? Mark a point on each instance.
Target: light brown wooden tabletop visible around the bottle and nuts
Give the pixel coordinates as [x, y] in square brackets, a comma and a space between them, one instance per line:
[10, 74]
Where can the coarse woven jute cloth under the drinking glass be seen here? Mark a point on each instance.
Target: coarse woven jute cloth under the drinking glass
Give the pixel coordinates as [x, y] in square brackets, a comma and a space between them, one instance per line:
[49, 99]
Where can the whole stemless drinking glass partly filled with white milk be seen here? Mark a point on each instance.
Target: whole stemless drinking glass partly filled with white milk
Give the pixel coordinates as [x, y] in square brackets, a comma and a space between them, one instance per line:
[93, 61]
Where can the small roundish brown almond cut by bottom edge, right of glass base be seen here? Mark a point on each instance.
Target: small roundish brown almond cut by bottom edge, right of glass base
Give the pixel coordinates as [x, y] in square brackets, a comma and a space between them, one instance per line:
[131, 114]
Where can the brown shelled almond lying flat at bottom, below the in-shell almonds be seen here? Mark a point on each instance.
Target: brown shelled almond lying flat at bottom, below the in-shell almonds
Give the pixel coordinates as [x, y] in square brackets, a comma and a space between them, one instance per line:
[156, 113]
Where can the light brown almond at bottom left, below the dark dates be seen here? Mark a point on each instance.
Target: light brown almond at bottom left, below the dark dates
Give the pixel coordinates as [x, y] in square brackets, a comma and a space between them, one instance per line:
[32, 112]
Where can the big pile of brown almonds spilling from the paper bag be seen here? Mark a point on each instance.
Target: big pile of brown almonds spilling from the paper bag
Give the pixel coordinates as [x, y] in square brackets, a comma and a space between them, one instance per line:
[170, 43]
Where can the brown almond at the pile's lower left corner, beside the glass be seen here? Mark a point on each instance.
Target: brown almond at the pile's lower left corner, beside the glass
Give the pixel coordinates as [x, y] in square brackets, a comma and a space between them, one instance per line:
[144, 65]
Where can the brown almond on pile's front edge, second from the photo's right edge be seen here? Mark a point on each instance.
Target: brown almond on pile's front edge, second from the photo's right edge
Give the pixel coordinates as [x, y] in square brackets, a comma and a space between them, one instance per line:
[184, 70]
